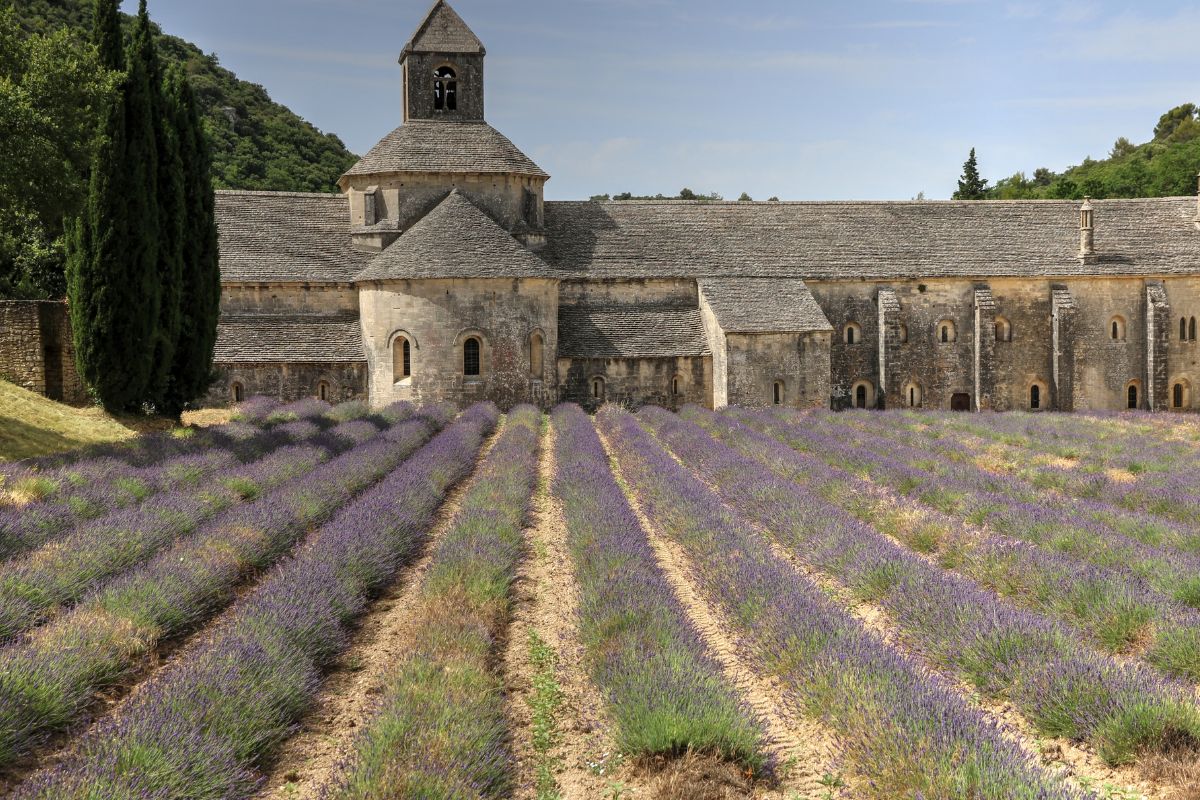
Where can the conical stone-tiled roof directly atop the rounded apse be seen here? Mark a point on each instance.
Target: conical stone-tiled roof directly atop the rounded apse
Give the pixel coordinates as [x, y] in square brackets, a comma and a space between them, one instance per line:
[455, 240]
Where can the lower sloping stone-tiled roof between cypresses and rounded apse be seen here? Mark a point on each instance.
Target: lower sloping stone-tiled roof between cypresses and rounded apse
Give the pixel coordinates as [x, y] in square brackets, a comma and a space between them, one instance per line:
[296, 339]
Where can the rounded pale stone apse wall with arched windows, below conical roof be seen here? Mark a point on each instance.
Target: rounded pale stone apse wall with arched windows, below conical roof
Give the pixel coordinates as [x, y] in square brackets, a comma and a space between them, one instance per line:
[439, 316]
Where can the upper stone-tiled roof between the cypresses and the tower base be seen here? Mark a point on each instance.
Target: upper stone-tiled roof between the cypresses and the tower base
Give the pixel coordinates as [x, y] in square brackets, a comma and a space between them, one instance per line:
[286, 238]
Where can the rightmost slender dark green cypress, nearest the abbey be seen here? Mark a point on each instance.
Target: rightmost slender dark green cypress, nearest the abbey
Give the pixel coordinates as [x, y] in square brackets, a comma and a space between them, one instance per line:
[201, 285]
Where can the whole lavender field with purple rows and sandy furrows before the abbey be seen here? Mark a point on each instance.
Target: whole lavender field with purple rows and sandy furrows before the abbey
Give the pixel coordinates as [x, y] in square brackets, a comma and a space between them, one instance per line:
[338, 603]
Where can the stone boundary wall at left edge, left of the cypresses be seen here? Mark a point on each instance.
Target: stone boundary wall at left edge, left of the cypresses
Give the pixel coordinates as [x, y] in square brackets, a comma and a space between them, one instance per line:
[38, 350]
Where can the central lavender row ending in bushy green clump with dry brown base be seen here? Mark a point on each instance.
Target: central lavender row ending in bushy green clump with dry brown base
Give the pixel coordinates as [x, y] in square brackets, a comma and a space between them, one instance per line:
[664, 691]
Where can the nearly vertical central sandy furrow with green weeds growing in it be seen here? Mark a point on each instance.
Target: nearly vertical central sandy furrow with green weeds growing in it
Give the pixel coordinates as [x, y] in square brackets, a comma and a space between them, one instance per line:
[547, 601]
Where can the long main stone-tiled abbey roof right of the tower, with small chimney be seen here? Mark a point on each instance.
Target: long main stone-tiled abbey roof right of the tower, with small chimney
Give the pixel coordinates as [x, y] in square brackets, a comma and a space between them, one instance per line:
[872, 242]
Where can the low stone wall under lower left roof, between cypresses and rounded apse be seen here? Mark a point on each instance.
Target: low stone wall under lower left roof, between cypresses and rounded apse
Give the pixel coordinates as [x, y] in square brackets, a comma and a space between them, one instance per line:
[289, 382]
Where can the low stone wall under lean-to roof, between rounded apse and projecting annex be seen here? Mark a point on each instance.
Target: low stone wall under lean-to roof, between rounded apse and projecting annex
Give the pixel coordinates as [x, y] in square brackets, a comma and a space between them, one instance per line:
[671, 383]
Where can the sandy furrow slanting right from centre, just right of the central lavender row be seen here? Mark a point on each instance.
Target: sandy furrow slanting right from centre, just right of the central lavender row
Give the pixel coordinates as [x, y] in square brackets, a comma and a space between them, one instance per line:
[805, 749]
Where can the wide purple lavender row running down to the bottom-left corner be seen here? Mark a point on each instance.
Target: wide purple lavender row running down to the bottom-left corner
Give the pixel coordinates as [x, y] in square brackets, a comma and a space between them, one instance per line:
[199, 729]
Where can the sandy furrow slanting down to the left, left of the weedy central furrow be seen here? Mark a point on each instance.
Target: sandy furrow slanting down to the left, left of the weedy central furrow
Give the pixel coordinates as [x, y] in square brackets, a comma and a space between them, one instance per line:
[349, 694]
